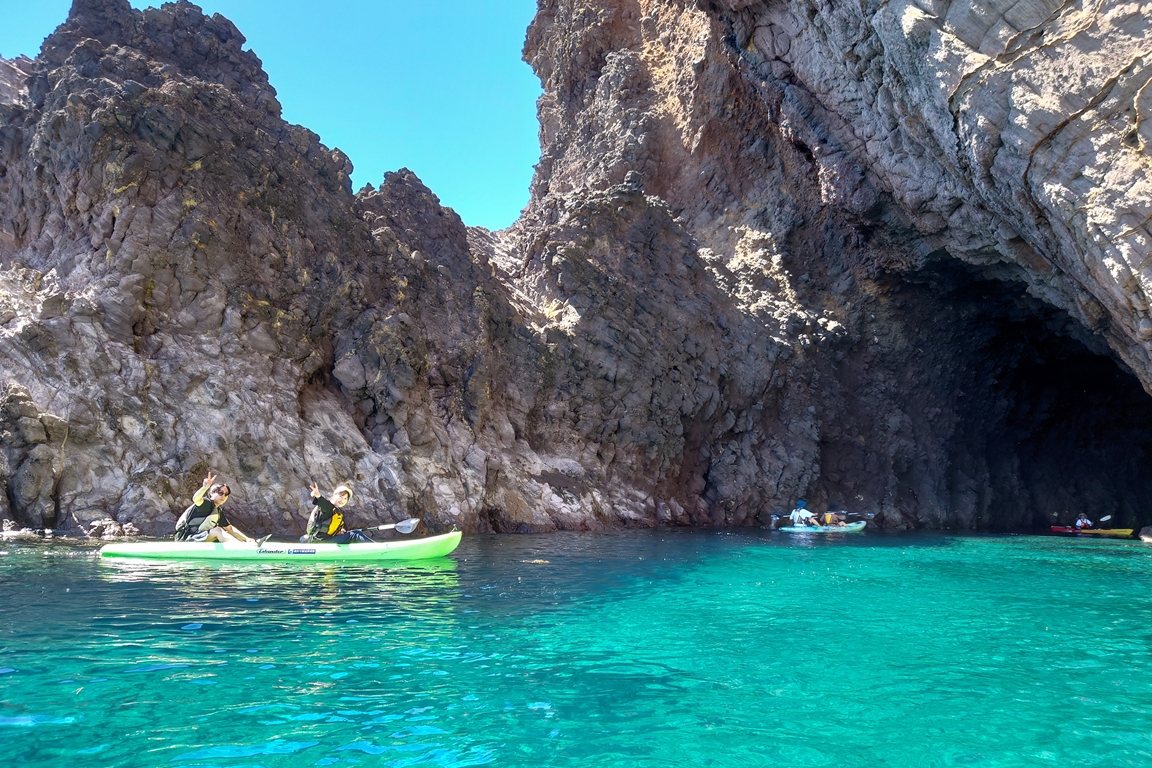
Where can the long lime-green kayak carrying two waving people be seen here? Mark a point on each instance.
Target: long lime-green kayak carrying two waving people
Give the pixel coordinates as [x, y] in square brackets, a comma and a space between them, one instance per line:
[281, 551]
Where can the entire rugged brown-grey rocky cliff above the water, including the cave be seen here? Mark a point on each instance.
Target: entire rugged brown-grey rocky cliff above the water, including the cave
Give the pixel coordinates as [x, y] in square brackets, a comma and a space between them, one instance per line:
[890, 256]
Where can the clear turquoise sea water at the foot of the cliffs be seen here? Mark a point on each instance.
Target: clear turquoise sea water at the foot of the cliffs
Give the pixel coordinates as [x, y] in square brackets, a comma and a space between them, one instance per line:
[654, 649]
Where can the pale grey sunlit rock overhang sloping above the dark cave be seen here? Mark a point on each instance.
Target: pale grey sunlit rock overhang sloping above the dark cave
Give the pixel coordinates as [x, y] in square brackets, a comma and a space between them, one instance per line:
[1009, 134]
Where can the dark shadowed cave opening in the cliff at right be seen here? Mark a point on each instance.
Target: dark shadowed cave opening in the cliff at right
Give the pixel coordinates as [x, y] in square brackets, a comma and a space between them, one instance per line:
[1047, 422]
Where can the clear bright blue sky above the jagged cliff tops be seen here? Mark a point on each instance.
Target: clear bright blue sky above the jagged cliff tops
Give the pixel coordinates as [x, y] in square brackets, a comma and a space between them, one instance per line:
[437, 87]
